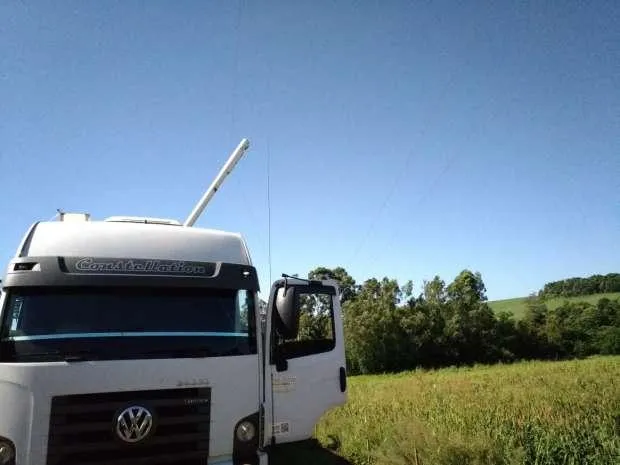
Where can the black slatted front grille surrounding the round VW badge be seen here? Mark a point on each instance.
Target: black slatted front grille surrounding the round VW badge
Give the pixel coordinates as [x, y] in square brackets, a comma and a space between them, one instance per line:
[83, 428]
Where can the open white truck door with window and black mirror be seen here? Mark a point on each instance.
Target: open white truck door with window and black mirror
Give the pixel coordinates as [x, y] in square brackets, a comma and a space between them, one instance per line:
[306, 356]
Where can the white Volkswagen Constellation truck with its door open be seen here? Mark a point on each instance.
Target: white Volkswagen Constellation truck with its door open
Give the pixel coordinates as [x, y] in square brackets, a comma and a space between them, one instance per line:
[139, 341]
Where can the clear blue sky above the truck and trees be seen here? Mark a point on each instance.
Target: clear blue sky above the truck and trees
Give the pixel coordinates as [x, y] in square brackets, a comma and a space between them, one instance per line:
[404, 139]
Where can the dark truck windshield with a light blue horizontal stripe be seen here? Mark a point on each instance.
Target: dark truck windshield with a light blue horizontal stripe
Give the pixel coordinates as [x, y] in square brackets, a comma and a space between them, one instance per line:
[50, 323]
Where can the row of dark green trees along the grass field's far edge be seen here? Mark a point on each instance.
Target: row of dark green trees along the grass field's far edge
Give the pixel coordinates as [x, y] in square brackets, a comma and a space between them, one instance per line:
[388, 328]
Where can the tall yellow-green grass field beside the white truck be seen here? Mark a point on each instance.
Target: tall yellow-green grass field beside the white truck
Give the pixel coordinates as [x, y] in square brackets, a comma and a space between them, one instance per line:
[527, 413]
